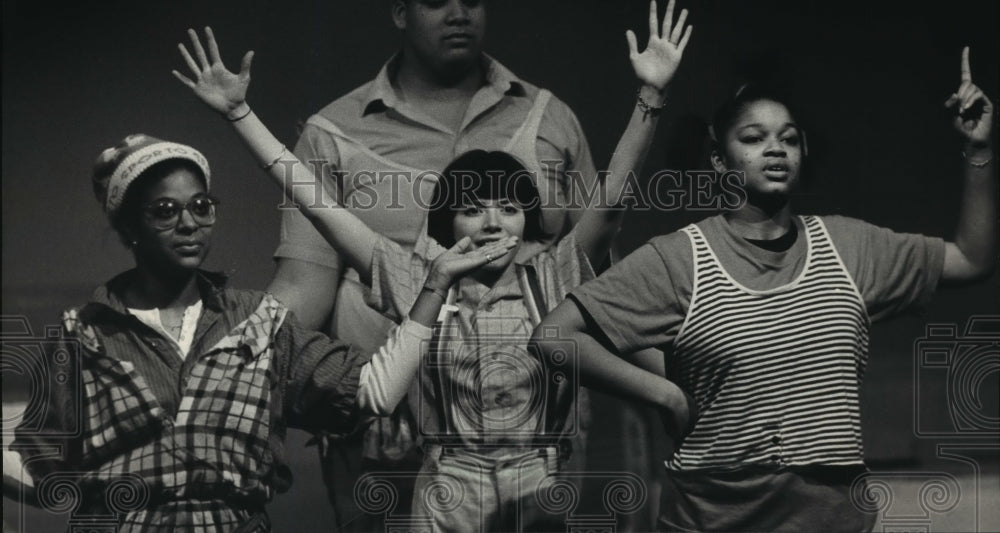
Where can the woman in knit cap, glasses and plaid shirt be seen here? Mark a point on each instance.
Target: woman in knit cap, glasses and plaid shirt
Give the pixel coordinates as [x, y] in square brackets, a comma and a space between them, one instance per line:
[185, 386]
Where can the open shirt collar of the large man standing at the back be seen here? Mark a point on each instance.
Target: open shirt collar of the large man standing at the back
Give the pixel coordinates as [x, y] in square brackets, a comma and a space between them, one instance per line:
[500, 81]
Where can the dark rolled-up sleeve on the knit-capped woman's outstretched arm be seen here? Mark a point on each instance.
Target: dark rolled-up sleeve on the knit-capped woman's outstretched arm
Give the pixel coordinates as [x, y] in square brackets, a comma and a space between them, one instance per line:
[322, 377]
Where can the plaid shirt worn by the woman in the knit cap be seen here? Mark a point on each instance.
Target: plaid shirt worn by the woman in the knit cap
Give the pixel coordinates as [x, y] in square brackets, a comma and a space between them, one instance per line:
[204, 435]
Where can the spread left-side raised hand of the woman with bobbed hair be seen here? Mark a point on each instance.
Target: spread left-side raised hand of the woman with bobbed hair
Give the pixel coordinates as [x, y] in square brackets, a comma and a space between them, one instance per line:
[213, 83]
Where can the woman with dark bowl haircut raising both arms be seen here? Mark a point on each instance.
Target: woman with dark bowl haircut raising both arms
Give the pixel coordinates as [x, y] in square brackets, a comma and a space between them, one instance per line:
[481, 409]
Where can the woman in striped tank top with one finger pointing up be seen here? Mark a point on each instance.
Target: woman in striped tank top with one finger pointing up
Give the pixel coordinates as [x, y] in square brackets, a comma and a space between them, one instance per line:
[764, 316]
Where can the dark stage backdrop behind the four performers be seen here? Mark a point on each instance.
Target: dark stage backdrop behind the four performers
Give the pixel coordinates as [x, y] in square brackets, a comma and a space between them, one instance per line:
[871, 80]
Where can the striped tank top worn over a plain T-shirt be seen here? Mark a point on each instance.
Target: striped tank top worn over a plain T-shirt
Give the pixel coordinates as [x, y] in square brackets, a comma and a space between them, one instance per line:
[776, 373]
